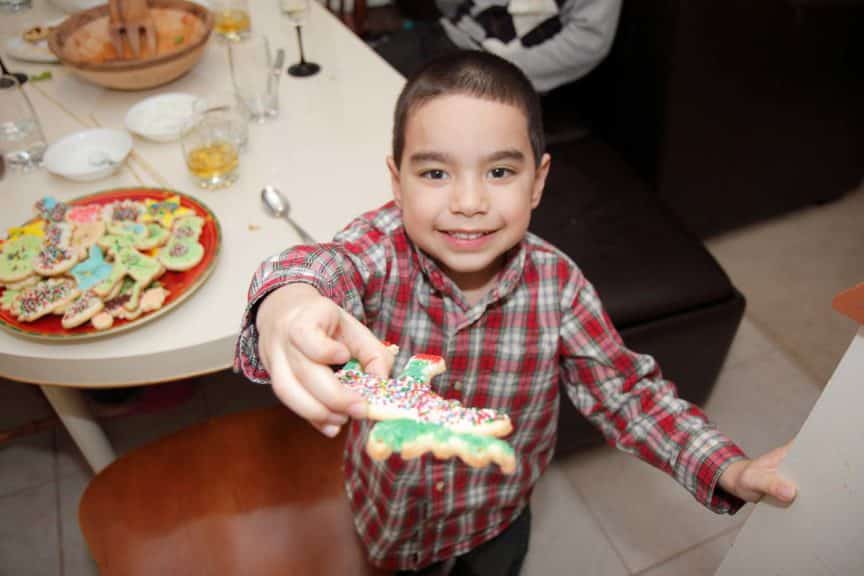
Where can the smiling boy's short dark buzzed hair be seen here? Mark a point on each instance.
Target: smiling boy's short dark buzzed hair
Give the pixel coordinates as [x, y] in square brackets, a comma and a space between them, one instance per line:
[470, 73]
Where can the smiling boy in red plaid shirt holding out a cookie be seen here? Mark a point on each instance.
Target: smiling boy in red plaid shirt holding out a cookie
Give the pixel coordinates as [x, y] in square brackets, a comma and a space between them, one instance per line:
[448, 268]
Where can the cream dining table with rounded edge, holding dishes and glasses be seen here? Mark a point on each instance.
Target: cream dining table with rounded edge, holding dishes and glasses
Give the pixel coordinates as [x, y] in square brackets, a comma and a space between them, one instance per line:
[326, 151]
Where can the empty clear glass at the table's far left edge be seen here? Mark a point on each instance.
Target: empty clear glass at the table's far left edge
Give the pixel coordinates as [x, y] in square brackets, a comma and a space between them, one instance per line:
[22, 142]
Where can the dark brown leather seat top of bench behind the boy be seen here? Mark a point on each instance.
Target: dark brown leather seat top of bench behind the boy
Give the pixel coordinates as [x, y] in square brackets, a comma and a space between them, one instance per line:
[640, 259]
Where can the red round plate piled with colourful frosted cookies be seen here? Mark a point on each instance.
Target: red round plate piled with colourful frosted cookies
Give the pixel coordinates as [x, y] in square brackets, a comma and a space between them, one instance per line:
[104, 263]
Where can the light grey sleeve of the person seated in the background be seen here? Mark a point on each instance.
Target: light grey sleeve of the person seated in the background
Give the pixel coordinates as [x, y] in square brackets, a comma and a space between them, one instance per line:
[586, 35]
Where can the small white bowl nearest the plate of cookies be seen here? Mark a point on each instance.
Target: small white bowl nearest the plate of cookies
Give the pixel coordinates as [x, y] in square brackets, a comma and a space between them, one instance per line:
[89, 154]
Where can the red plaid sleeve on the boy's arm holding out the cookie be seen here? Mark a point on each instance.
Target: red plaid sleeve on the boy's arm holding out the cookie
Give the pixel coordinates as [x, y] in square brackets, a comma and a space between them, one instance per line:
[349, 271]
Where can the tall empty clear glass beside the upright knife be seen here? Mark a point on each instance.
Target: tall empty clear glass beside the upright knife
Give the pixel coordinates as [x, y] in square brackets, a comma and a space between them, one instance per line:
[256, 83]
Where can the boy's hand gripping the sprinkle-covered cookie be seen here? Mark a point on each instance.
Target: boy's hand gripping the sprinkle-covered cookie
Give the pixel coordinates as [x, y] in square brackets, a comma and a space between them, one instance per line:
[300, 335]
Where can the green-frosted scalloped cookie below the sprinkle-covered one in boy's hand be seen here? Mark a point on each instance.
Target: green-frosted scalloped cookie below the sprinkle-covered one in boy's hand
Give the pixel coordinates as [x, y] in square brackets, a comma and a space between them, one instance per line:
[411, 439]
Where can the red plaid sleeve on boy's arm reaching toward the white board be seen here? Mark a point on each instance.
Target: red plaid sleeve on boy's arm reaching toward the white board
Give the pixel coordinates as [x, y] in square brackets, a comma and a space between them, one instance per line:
[638, 411]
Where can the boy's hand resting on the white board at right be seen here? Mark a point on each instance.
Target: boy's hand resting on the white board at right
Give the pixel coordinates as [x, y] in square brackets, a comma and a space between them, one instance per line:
[750, 480]
